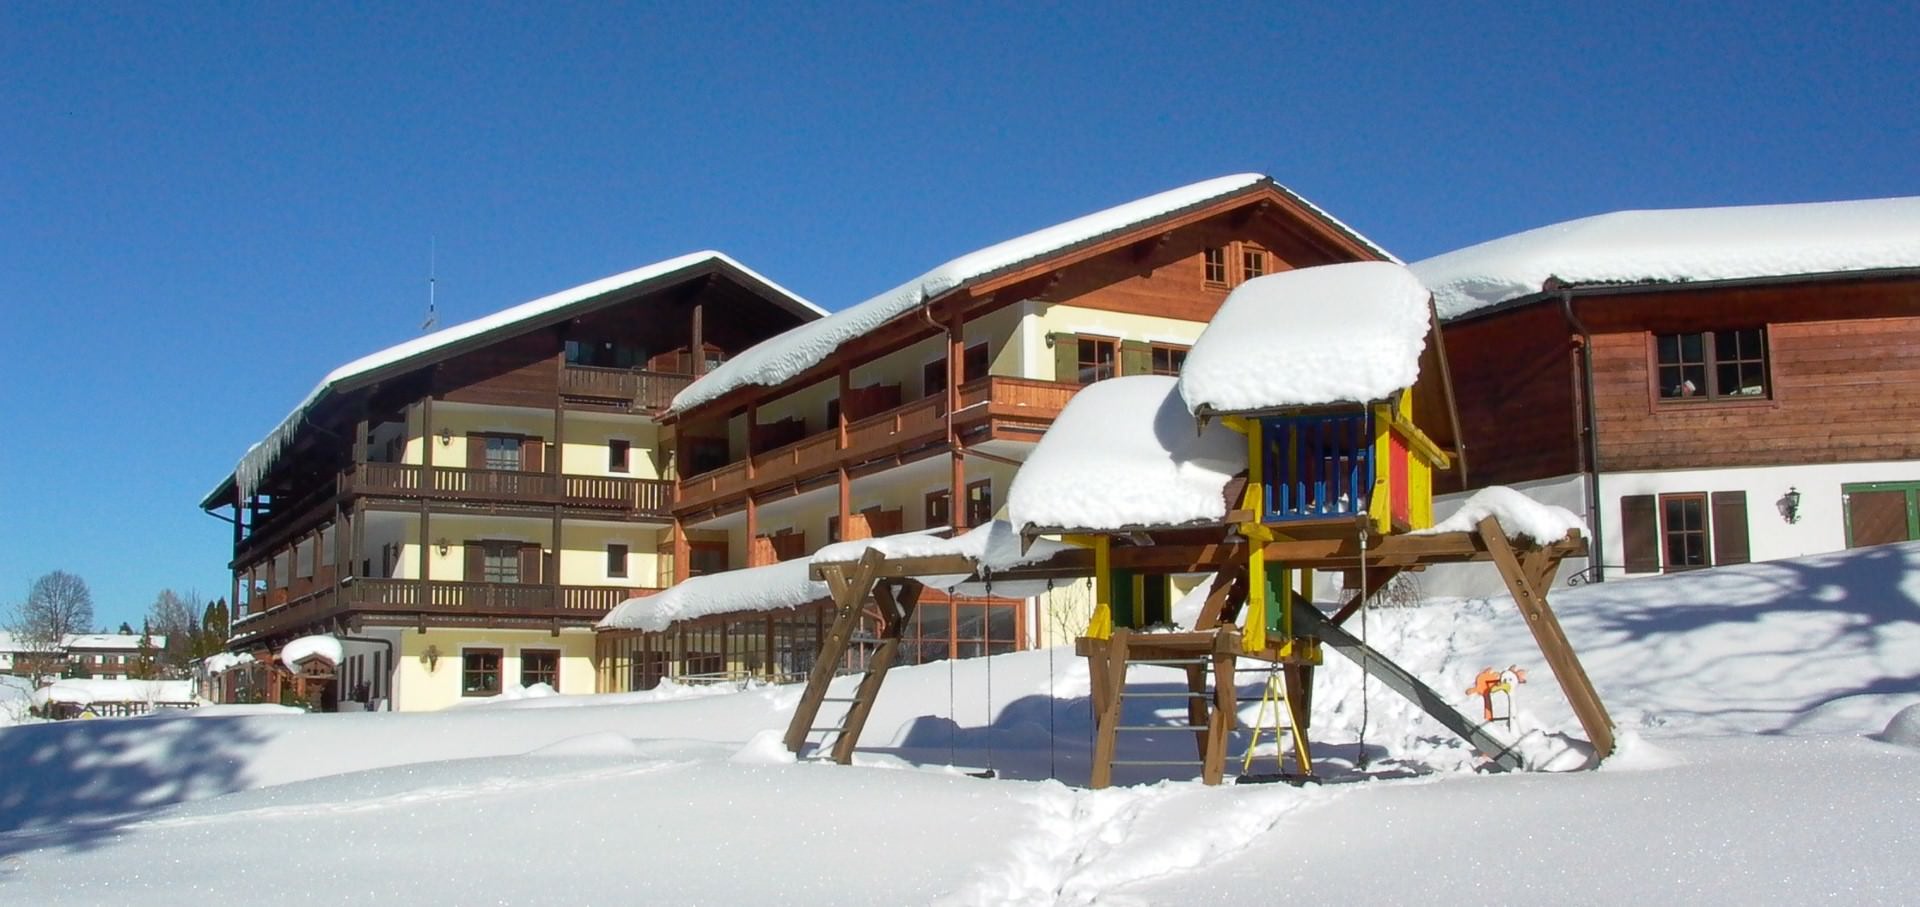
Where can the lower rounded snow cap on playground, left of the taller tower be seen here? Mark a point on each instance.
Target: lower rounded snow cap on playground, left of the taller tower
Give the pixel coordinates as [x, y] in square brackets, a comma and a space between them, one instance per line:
[1124, 453]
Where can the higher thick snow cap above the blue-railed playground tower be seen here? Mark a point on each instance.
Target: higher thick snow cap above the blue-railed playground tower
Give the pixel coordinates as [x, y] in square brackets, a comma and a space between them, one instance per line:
[1318, 335]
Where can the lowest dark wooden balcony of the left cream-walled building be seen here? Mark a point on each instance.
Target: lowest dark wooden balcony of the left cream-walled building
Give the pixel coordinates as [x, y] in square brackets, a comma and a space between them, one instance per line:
[441, 599]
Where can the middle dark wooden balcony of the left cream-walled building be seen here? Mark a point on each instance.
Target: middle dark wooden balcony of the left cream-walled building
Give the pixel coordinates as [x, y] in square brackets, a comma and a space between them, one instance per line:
[615, 495]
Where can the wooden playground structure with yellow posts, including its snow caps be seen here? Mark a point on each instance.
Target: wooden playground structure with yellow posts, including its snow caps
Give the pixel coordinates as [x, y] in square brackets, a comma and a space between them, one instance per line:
[1337, 478]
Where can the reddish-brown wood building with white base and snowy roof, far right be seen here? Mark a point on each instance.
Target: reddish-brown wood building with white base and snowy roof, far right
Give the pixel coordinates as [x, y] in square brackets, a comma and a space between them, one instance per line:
[1704, 385]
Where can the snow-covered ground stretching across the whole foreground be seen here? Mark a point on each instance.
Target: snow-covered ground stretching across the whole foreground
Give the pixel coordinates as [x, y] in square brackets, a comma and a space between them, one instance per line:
[1758, 766]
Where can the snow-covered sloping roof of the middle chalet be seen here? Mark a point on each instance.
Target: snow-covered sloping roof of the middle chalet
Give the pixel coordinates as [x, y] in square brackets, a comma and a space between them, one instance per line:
[784, 356]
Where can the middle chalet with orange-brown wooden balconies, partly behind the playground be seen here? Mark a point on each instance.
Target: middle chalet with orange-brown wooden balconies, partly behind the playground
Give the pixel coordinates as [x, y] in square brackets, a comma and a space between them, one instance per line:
[915, 410]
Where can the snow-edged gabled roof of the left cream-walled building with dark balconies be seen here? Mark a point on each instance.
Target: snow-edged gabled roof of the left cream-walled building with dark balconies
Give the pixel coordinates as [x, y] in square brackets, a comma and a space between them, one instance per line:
[260, 458]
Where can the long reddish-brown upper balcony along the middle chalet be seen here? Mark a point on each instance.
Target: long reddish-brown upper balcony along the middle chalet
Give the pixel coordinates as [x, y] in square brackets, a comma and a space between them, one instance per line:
[992, 403]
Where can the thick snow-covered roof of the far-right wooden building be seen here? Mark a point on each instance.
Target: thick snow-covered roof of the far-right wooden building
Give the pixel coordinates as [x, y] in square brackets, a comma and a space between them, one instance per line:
[1683, 245]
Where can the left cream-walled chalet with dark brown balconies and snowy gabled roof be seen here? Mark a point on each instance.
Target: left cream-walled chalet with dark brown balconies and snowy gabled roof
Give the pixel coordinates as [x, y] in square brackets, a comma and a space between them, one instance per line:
[466, 506]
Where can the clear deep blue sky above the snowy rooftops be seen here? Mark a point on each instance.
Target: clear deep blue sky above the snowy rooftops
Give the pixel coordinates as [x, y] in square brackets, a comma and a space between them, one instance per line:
[208, 207]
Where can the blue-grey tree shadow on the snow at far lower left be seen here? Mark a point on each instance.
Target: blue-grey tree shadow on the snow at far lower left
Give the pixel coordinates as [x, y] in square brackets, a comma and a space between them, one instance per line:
[74, 783]
